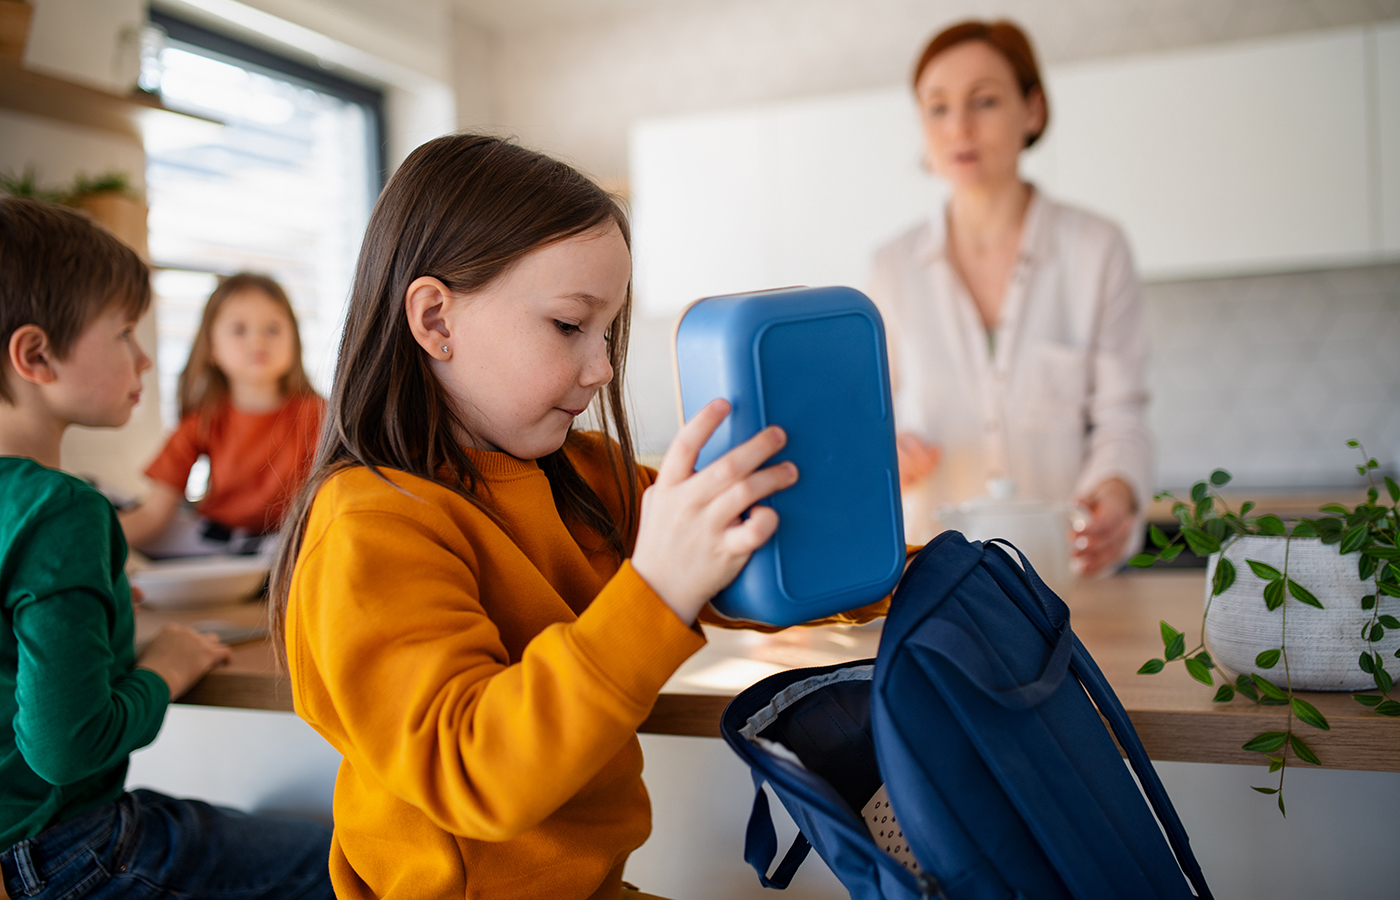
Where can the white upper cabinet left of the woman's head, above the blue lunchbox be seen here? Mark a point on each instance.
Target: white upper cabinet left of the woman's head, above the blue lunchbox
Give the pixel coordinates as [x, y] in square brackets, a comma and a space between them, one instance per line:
[794, 194]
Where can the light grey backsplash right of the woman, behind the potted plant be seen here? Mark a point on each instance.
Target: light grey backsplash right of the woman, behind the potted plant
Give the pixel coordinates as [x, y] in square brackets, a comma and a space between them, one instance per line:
[1270, 376]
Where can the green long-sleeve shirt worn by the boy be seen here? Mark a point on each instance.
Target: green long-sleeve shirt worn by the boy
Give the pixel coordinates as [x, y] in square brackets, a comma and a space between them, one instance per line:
[73, 705]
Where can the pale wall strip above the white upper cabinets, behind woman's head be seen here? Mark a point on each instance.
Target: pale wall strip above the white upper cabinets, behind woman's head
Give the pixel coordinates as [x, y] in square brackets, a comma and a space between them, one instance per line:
[576, 89]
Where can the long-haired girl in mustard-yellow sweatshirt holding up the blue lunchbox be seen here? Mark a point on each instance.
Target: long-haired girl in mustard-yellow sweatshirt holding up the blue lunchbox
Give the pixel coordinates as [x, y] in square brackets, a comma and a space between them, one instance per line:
[478, 603]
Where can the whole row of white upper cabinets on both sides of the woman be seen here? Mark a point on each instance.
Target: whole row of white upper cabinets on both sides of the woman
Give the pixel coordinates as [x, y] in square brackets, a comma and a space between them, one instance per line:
[1240, 159]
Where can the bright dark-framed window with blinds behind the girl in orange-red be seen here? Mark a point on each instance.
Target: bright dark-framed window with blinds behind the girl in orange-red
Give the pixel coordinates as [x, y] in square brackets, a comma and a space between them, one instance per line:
[283, 187]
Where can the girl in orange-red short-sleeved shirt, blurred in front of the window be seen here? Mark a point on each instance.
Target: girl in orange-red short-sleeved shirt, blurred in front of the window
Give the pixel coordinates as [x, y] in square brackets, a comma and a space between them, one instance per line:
[247, 404]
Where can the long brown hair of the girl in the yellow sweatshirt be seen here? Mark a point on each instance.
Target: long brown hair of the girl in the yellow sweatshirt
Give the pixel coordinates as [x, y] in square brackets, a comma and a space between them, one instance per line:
[463, 209]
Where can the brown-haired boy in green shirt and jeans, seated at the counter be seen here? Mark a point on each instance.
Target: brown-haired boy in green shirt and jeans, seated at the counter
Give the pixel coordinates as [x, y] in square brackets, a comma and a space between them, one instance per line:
[75, 698]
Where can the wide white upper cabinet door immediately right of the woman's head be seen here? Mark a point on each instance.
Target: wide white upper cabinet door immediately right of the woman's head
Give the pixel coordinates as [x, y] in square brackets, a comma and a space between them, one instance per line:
[1241, 157]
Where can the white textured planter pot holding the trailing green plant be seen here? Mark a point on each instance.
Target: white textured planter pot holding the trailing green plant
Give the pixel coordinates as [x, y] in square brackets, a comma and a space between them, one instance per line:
[1324, 645]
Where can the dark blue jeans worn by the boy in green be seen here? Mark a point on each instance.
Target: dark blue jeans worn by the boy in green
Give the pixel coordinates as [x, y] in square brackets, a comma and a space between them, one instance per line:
[148, 846]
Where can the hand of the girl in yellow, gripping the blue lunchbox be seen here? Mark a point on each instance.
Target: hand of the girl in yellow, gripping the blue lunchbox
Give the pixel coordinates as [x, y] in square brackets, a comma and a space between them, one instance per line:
[692, 541]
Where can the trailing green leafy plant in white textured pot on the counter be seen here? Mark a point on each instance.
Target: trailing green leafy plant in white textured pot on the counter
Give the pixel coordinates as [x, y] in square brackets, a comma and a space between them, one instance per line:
[1312, 603]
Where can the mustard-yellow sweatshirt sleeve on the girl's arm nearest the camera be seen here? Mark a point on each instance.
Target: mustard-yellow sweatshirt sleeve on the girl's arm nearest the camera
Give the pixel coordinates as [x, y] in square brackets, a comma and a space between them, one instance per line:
[397, 661]
